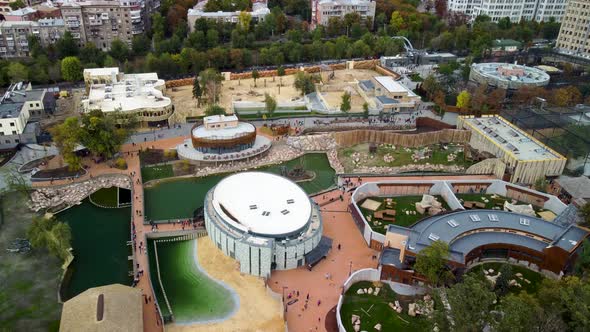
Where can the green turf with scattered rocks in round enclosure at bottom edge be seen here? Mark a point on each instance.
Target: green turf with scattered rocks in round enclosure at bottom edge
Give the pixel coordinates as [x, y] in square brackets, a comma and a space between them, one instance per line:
[378, 310]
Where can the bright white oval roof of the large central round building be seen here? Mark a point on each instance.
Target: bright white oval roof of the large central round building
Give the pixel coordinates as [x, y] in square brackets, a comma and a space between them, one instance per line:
[262, 203]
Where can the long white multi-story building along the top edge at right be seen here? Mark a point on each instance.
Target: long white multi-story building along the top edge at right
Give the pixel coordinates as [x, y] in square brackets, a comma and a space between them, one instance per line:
[516, 10]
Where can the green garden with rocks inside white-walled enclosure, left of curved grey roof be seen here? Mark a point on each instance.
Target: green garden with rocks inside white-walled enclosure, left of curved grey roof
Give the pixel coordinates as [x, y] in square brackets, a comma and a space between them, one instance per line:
[405, 214]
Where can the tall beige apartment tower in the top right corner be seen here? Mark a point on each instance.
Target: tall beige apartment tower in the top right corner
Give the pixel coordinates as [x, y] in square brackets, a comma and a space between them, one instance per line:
[574, 35]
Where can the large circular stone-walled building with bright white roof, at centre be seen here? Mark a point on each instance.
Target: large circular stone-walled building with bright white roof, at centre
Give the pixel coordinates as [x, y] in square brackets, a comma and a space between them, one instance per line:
[263, 220]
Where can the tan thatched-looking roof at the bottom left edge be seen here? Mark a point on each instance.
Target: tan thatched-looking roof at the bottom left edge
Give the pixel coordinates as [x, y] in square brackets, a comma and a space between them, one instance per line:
[107, 308]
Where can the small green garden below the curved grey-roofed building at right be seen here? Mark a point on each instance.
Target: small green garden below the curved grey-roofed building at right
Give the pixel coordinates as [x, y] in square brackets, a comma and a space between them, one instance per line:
[523, 279]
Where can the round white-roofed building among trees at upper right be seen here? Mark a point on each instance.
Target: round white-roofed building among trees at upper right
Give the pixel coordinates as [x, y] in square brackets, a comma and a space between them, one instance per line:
[507, 76]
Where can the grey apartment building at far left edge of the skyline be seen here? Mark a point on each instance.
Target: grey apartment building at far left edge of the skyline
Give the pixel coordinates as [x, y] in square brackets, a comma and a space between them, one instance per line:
[14, 41]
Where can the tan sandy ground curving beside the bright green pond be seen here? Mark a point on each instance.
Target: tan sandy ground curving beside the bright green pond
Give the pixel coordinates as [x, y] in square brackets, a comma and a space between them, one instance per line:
[258, 311]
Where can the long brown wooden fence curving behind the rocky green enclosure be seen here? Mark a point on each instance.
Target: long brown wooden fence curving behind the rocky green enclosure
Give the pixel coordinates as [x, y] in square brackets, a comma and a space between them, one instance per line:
[349, 138]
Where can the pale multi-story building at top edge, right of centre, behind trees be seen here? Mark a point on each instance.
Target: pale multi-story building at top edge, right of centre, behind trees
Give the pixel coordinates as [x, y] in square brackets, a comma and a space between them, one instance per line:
[323, 10]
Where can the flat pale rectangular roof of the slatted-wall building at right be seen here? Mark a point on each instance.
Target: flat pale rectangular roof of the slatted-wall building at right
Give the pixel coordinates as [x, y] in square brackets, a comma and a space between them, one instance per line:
[511, 138]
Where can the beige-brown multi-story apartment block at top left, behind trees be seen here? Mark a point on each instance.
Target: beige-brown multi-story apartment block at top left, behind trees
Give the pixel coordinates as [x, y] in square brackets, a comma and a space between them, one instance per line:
[102, 22]
